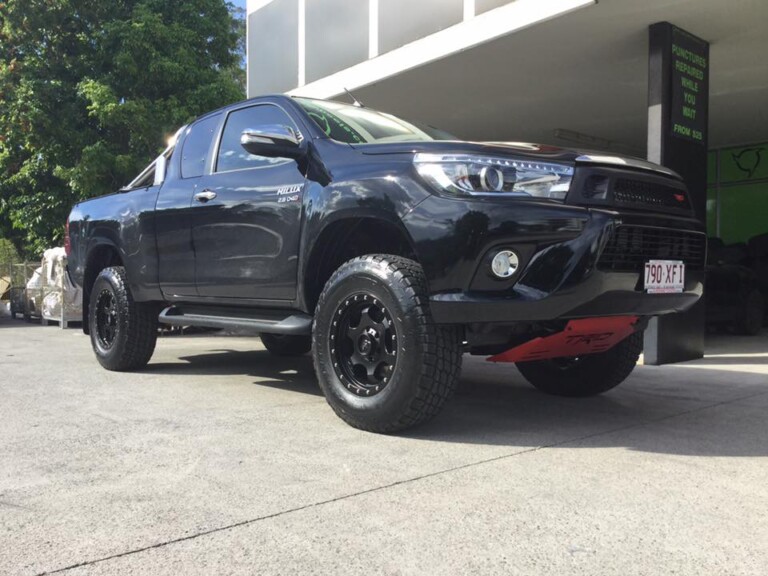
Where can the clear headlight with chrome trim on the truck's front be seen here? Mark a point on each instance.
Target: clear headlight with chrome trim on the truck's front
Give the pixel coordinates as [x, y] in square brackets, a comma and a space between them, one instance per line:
[475, 175]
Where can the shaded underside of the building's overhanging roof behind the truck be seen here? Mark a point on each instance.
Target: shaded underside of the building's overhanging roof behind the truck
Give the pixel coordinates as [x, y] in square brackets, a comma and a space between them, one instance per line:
[586, 72]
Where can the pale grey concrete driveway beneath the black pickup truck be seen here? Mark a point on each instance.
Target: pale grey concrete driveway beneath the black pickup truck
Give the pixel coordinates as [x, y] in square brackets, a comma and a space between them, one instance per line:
[219, 459]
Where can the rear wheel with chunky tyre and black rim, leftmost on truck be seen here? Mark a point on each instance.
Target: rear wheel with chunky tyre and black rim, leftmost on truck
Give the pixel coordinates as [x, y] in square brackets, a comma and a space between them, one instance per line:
[123, 332]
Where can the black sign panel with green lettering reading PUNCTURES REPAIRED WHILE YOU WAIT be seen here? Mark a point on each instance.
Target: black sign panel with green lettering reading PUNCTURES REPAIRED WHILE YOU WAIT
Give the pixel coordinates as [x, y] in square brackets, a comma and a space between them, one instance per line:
[690, 85]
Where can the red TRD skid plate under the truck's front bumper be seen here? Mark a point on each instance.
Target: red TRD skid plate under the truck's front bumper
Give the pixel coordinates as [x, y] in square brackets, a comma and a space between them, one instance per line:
[584, 336]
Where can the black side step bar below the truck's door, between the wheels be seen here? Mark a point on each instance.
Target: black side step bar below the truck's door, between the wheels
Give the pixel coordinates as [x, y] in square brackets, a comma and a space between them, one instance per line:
[273, 322]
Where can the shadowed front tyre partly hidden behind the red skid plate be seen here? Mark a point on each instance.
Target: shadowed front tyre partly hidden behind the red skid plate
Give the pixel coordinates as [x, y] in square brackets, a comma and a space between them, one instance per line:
[586, 375]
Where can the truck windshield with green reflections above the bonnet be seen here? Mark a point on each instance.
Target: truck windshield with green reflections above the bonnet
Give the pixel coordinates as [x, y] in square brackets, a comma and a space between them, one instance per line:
[356, 125]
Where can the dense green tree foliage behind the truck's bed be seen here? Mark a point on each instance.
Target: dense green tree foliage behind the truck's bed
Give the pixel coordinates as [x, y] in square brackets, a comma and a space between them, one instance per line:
[89, 92]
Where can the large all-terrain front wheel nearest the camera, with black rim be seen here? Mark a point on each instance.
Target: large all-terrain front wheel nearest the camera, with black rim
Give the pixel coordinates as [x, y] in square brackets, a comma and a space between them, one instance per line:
[381, 361]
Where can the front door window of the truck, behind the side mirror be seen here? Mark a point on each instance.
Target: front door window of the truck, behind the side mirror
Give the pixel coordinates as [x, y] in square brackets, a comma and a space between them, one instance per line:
[232, 156]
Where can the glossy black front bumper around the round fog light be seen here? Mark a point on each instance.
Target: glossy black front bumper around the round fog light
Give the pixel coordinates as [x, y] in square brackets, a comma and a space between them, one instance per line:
[564, 272]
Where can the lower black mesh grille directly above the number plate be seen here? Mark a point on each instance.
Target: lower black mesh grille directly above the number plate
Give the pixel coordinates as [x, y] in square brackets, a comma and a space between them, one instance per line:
[630, 247]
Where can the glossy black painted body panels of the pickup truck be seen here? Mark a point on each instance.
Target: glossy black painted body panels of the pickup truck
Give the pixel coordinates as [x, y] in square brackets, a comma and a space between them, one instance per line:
[249, 248]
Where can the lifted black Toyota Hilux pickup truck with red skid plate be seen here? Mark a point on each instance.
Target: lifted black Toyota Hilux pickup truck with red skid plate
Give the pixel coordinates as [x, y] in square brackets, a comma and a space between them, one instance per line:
[388, 249]
